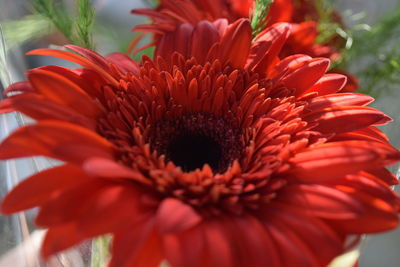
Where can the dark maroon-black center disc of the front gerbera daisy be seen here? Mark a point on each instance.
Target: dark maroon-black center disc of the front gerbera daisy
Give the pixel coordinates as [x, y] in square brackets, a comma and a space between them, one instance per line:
[196, 139]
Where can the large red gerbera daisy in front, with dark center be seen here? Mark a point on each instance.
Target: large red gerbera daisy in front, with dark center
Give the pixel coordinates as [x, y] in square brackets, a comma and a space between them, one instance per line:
[216, 153]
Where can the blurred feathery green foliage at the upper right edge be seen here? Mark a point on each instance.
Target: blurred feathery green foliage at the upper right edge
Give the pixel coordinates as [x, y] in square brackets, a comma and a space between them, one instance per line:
[376, 47]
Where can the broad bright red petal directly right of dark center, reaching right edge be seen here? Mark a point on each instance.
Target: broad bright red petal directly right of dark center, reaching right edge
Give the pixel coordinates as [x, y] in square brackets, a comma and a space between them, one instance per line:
[334, 160]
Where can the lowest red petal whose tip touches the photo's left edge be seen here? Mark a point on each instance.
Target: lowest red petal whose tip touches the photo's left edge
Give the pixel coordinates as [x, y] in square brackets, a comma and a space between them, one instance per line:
[41, 187]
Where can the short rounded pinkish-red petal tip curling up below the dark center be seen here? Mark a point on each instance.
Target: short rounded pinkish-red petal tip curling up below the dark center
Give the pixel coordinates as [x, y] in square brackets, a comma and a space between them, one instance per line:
[175, 216]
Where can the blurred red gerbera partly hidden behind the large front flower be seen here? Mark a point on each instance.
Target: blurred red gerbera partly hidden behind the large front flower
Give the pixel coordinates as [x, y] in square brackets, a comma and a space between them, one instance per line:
[302, 14]
